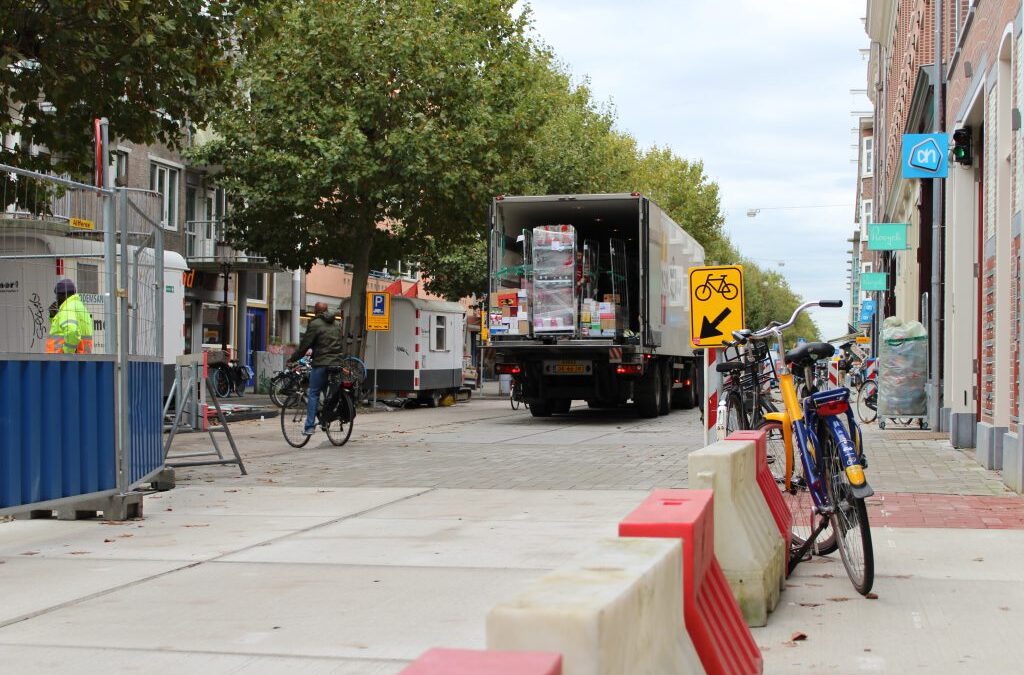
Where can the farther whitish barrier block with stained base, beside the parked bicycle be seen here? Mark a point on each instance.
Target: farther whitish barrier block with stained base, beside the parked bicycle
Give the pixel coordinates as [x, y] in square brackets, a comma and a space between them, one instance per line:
[752, 554]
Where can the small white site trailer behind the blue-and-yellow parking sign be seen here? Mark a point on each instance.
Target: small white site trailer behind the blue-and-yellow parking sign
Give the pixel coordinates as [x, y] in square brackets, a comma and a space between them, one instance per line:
[421, 357]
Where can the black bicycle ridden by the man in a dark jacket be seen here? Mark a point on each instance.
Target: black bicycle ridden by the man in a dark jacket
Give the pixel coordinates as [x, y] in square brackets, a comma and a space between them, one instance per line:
[335, 411]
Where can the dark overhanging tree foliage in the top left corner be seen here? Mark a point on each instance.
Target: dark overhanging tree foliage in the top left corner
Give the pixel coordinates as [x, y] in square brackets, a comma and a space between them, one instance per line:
[153, 69]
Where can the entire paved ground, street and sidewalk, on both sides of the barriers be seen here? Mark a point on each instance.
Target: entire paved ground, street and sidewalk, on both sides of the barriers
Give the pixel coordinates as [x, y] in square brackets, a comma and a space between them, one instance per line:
[356, 561]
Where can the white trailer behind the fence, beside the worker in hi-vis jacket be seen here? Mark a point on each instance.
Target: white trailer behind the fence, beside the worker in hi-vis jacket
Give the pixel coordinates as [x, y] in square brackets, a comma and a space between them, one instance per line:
[30, 267]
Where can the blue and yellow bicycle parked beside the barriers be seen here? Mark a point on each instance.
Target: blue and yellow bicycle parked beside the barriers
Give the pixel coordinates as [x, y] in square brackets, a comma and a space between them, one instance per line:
[823, 430]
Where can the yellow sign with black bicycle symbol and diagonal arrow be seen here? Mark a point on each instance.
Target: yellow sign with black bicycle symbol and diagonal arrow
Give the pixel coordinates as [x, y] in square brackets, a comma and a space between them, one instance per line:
[716, 305]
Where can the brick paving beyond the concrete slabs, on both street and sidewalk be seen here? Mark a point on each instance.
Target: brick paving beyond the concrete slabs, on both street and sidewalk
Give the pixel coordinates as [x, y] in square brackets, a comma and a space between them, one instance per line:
[920, 480]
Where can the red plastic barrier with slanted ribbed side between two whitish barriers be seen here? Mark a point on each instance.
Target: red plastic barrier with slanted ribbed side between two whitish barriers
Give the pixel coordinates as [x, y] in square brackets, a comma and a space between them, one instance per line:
[713, 619]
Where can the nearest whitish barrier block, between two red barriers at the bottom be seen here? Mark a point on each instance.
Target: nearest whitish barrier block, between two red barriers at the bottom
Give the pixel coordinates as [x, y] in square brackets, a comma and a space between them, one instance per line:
[615, 610]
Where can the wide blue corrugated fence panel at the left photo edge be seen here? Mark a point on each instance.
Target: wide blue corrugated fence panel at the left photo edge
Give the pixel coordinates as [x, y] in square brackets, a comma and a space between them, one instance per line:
[57, 429]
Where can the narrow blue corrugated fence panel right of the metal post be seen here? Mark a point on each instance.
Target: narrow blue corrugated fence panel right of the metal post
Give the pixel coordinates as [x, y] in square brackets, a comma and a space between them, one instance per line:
[146, 418]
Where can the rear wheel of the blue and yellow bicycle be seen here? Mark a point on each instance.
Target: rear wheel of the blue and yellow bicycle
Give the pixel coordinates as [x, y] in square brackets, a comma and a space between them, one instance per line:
[849, 520]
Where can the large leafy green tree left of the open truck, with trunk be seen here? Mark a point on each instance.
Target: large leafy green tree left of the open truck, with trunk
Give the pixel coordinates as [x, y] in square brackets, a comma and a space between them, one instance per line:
[359, 114]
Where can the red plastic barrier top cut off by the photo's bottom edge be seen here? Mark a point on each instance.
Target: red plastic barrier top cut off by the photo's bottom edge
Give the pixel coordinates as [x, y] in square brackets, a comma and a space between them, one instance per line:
[477, 662]
